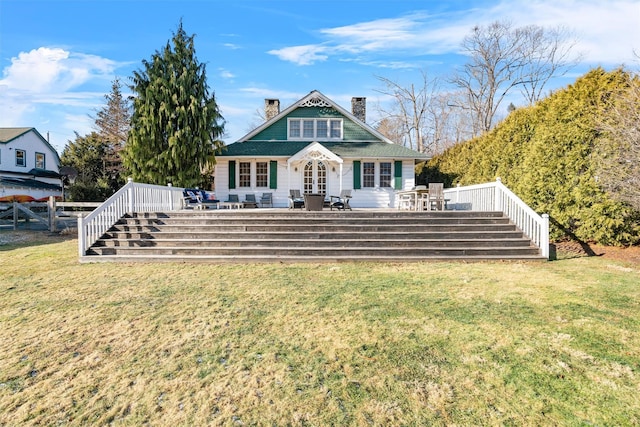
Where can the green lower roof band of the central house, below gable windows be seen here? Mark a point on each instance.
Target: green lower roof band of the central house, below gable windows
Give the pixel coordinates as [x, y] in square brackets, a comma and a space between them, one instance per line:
[342, 149]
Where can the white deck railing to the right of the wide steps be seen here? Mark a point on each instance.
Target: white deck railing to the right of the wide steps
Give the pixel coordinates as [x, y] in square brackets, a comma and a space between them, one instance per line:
[495, 196]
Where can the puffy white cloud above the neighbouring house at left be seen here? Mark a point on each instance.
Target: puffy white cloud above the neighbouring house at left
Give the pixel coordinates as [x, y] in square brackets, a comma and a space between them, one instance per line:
[54, 90]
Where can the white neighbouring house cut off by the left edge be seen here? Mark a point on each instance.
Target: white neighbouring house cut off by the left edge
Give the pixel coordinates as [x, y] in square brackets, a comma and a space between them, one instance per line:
[29, 166]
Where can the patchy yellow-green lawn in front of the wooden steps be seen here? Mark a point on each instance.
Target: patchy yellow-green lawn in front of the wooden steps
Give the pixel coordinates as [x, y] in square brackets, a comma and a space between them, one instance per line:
[553, 343]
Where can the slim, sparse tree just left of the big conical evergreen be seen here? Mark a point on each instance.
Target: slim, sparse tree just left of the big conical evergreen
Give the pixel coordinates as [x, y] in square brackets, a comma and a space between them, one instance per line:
[112, 124]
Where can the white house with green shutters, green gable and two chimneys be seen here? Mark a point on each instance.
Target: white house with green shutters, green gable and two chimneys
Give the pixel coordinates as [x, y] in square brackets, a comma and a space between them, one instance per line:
[316, 146]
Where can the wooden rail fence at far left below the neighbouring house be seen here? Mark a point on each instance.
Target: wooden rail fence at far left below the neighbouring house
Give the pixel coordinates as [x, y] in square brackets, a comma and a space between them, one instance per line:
[51, 214]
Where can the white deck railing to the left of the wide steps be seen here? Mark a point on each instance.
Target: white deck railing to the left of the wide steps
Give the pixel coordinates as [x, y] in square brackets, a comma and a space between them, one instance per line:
[133, 197]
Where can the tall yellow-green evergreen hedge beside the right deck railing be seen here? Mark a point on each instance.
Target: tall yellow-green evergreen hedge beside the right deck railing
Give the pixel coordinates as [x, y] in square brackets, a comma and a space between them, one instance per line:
[547, 154]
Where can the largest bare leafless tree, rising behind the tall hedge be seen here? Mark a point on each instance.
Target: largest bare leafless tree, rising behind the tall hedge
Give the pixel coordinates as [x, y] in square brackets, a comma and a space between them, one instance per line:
[502, 58]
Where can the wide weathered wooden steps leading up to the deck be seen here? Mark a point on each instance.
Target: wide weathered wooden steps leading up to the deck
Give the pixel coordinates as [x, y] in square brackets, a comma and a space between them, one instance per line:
[279, 235]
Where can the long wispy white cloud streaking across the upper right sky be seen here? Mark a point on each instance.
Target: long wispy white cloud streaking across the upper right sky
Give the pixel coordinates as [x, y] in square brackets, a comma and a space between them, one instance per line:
[607, 31]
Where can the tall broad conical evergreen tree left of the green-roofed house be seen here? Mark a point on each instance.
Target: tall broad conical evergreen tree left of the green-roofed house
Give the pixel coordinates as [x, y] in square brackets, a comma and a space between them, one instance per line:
[176, 123]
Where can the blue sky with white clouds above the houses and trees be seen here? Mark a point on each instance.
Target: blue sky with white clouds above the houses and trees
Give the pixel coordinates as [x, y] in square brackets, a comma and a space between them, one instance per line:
[58, 58]
